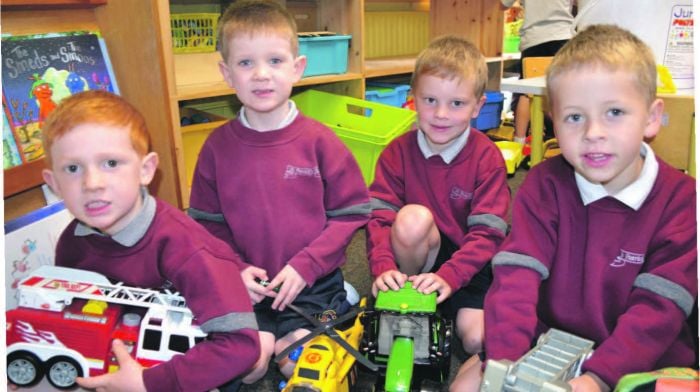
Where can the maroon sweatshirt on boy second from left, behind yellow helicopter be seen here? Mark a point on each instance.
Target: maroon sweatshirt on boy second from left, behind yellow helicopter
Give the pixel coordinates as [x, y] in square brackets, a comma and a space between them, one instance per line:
[293, 196]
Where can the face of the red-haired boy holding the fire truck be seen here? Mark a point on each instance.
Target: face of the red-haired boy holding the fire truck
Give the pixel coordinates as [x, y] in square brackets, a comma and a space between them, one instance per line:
[99, 174]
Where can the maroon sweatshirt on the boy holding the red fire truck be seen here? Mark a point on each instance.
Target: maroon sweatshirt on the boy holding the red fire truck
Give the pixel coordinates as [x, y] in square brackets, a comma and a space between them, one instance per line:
[163, 248]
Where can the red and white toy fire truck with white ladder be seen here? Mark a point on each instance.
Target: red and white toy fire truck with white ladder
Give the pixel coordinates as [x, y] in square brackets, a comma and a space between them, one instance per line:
[66, 320]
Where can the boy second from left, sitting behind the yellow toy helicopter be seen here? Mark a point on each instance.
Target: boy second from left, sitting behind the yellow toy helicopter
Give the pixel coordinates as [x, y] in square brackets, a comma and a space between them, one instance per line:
[280, 188]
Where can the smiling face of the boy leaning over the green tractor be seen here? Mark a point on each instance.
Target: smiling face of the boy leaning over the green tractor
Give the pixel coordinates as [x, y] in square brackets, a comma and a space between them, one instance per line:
[445, 107]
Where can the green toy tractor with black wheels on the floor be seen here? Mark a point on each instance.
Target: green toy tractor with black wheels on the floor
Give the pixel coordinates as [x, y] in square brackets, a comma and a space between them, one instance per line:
[408, 339]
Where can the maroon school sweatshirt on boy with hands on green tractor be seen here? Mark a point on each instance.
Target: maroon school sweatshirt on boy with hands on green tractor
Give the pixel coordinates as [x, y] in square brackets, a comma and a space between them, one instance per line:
[469, 199]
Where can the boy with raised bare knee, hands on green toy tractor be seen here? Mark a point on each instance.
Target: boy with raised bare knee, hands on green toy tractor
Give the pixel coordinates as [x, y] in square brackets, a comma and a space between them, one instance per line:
[440, 195]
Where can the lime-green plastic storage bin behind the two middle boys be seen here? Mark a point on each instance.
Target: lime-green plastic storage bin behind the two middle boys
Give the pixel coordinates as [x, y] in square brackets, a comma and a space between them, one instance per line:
[365, 127]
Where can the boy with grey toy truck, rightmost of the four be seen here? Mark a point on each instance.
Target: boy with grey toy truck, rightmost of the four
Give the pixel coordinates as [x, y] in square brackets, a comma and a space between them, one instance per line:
[603, 240]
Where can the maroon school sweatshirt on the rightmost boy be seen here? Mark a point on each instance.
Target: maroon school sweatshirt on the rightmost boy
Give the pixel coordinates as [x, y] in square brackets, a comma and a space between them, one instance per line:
[624, 278]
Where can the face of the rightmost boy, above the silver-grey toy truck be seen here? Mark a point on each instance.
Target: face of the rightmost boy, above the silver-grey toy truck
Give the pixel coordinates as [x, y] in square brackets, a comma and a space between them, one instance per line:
[600, 120]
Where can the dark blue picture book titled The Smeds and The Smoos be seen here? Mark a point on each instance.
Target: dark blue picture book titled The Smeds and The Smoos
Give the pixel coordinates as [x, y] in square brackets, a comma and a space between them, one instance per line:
[38, 71]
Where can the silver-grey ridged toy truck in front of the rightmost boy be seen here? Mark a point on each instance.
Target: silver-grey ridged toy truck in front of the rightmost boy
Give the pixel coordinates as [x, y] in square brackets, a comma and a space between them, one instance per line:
[555, 359]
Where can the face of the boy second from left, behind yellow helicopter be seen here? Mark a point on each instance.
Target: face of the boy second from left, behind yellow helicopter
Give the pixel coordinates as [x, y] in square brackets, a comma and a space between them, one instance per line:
[262, 69]
